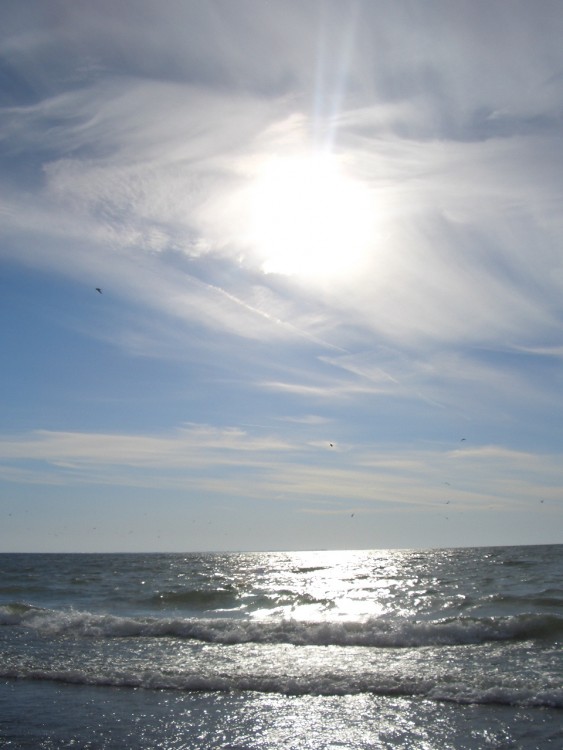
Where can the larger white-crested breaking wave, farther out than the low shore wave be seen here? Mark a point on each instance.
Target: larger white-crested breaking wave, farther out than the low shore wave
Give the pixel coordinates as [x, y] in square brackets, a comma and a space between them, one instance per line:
[373, 632]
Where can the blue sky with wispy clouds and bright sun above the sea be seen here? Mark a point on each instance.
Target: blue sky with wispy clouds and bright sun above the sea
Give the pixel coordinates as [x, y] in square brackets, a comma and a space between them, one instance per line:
[280, 274]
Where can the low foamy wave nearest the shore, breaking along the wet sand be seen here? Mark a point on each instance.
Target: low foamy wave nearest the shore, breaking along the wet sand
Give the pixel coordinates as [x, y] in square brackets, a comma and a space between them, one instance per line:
[326, 684]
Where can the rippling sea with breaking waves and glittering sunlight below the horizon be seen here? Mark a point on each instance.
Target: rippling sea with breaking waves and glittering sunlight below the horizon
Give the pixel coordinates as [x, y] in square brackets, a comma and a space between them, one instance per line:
[455, 648]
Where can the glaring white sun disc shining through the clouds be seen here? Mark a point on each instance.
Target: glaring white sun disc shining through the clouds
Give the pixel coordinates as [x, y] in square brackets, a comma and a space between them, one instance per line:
[309, 219]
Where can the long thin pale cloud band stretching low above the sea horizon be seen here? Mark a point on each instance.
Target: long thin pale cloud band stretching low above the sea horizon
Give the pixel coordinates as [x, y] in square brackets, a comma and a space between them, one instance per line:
[232, 461]
